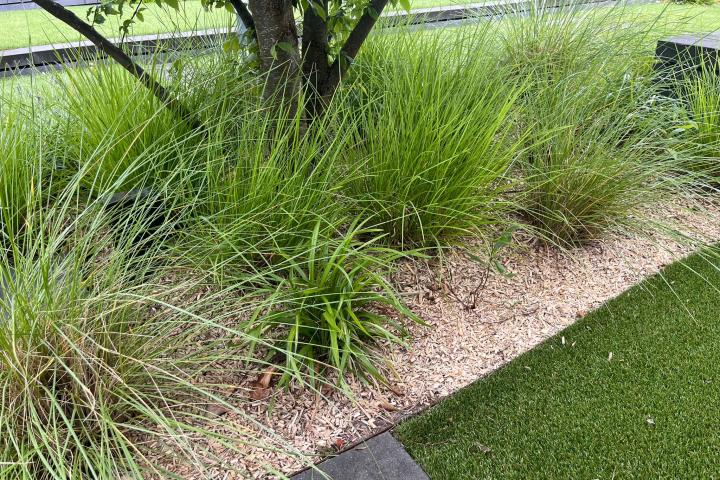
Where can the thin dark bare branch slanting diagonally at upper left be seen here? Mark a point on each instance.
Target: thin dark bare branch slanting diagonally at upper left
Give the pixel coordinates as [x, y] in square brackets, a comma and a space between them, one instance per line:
[117, 54]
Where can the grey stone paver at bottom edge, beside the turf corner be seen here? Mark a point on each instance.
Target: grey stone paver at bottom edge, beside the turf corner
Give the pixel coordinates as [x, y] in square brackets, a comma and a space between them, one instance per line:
[379, 458]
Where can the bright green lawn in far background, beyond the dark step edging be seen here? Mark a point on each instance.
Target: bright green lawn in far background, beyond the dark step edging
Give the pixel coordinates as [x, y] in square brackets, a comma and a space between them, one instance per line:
[35, 27]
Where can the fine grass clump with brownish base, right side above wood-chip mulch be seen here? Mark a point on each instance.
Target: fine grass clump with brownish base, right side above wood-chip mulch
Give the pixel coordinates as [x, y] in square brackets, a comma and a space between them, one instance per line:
[591, 164]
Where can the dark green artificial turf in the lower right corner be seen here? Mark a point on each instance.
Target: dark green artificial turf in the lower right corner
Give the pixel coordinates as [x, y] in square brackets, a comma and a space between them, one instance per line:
[570, 410]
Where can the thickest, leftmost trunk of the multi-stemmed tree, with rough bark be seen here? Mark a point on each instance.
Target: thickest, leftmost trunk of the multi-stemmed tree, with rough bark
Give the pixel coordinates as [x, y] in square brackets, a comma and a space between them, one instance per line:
[277, 38]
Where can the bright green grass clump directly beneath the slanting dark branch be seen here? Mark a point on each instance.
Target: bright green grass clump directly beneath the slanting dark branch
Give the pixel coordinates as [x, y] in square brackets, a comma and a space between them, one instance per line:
[114, 127]
